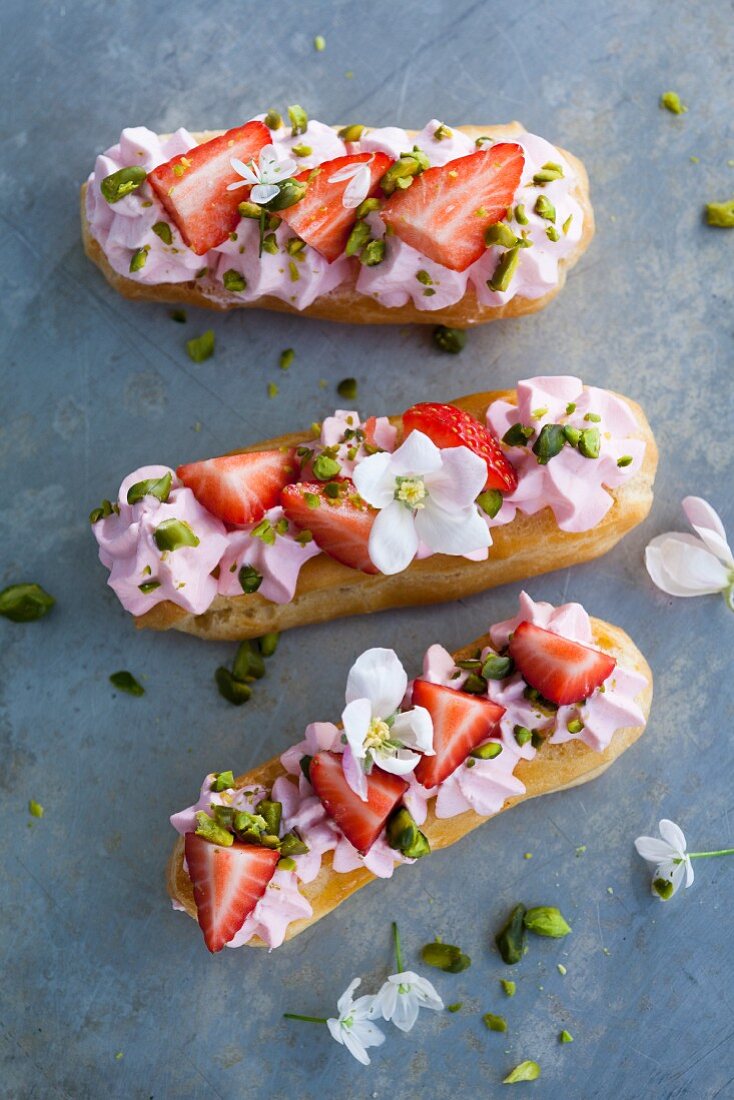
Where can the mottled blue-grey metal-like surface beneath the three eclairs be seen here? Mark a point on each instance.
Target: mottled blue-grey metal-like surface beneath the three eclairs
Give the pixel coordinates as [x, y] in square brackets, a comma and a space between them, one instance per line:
[108, 994]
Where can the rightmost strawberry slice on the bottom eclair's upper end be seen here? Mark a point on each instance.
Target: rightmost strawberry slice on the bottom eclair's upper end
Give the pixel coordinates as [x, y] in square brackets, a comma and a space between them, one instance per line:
[562, 670]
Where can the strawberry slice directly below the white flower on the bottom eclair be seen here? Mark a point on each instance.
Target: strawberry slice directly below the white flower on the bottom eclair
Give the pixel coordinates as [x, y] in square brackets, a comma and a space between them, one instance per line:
[360, 822]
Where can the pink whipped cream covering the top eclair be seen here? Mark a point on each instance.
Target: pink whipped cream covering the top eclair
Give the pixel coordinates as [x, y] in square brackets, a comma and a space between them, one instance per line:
[125, 227]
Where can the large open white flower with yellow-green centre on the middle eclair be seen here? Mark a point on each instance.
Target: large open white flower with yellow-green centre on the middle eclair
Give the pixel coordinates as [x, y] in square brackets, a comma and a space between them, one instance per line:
[424, 496]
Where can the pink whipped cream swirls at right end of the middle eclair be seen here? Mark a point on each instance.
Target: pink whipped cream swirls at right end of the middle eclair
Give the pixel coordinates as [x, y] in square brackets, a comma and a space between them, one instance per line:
[575, 488]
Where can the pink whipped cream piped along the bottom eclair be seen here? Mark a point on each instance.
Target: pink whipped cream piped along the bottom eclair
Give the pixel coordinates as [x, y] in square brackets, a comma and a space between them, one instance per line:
[483, 786]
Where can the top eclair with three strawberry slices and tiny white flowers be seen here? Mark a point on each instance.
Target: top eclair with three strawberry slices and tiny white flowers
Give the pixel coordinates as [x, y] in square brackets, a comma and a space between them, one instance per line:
[451, 225]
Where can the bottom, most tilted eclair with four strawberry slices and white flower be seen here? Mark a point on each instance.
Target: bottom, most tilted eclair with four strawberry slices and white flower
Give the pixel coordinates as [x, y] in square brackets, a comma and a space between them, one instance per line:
[546, 701]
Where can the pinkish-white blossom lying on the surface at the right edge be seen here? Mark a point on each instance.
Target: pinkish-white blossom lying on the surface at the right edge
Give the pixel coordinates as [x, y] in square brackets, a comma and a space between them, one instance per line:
[687, 566]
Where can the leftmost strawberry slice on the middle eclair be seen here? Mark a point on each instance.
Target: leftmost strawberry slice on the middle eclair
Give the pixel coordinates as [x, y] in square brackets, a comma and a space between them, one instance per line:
[240, 489]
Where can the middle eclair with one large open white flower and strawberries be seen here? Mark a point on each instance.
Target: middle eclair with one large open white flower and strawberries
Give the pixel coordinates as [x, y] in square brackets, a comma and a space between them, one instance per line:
[361, 515]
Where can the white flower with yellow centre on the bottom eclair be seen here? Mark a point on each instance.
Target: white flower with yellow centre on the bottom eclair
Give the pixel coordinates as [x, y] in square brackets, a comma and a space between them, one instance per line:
[376, 731]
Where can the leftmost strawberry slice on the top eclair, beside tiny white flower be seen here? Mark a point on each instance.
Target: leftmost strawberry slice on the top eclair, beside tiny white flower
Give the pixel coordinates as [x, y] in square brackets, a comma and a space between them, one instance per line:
[193, 188]
